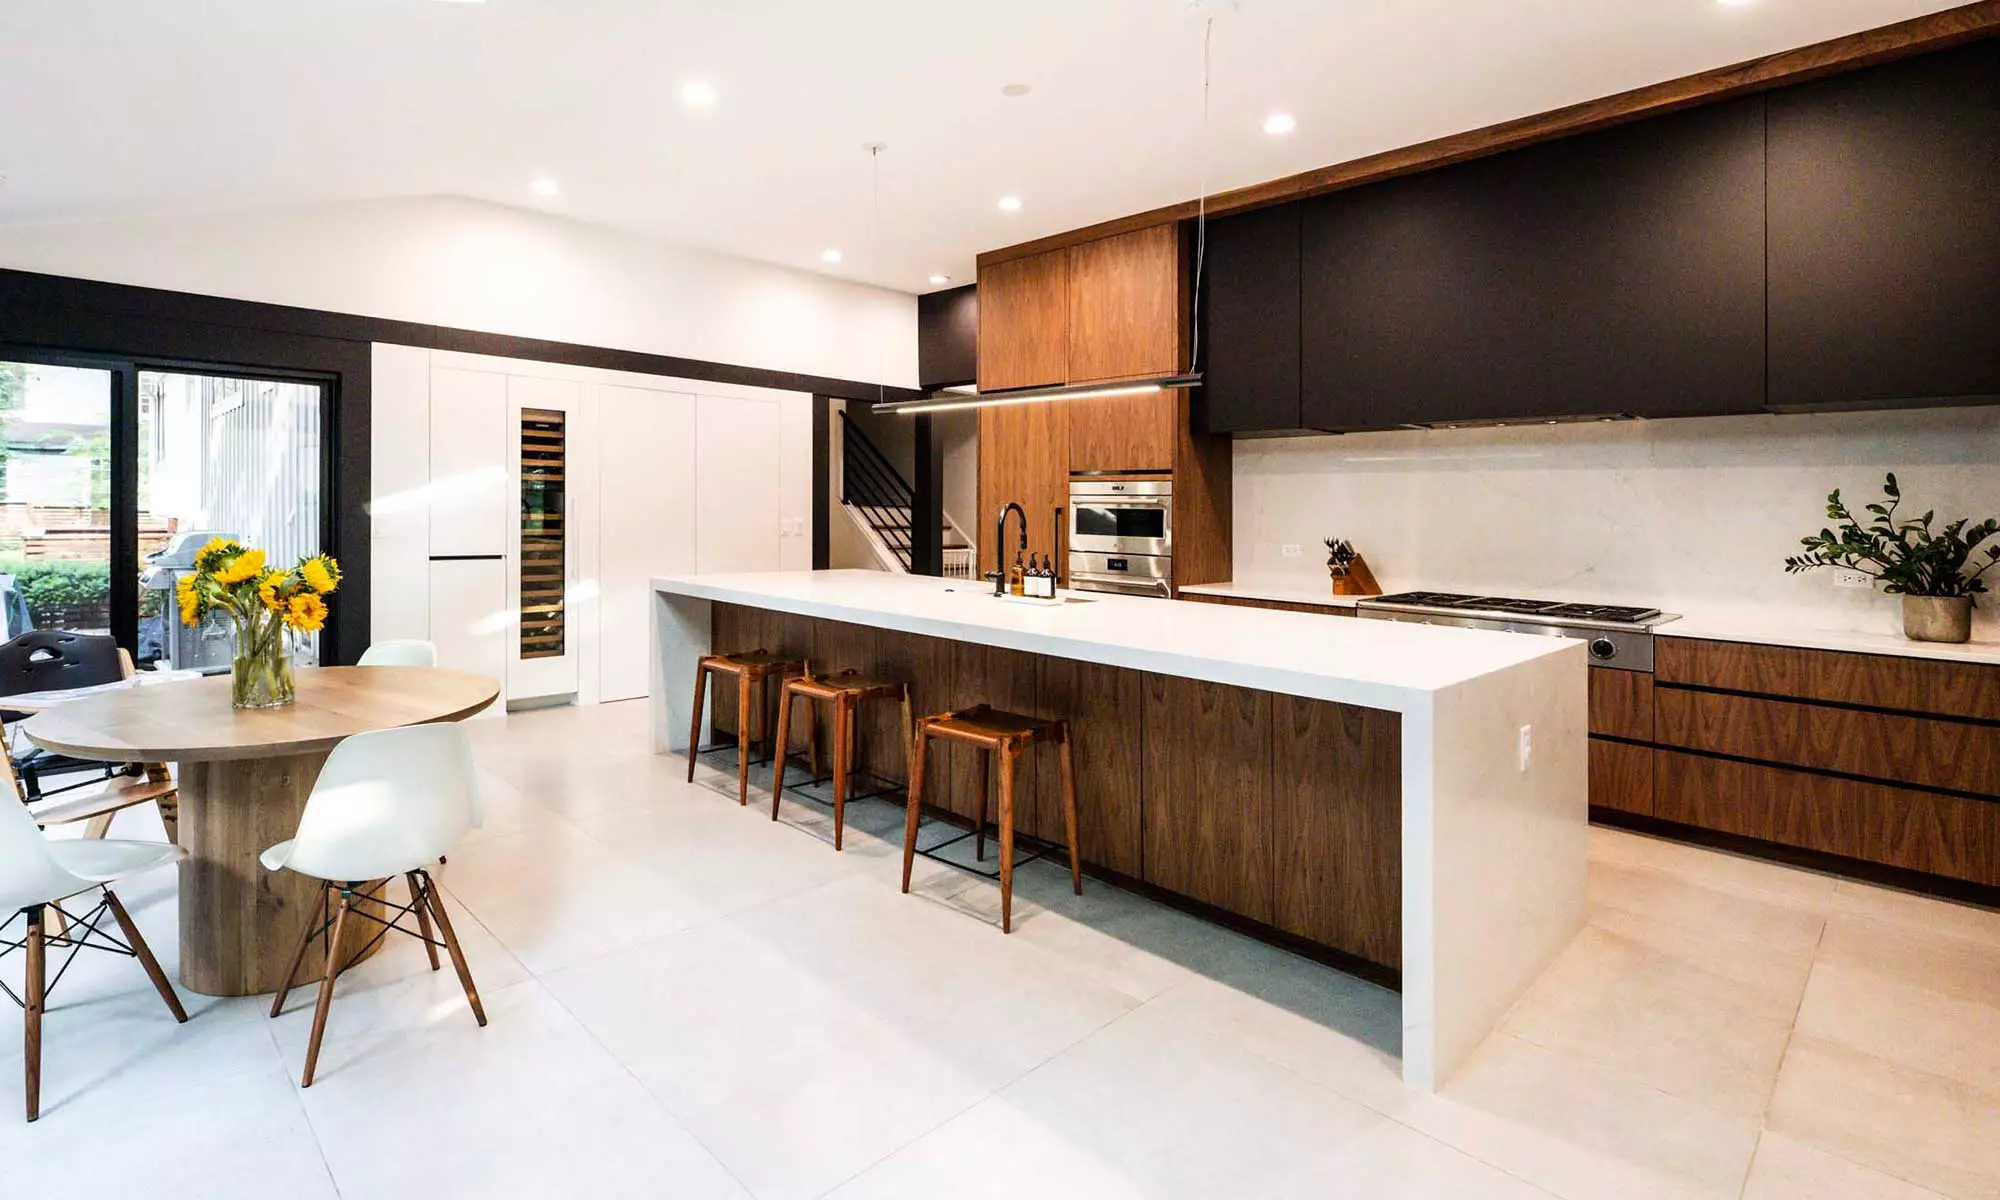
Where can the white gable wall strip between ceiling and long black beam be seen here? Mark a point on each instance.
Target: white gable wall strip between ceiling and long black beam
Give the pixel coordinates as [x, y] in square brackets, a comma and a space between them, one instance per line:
[485, 267]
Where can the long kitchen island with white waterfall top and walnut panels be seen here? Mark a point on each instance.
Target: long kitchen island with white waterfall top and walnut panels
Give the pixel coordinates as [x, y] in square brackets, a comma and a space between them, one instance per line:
[1409, 799]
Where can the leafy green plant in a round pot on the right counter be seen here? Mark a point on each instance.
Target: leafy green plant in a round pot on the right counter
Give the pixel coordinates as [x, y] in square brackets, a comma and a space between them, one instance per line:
[1937, 573]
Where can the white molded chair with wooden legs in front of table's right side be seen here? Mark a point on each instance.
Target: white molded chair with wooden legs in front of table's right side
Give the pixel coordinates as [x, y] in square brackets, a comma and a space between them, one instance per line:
[387, 805]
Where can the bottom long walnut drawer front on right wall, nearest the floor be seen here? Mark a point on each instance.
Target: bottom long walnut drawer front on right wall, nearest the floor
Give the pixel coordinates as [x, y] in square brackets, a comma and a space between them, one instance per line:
[1895, 827]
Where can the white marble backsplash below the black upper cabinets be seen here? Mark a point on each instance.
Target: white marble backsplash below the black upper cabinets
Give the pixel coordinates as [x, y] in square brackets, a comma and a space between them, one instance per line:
[1693, 515]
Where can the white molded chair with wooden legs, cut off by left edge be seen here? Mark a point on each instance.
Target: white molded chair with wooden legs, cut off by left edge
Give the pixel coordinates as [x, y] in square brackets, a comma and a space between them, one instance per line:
[35, 877]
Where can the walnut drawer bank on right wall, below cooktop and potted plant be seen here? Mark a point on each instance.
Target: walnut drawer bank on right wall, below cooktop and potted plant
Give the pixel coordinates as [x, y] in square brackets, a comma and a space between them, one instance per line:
[1875, 765]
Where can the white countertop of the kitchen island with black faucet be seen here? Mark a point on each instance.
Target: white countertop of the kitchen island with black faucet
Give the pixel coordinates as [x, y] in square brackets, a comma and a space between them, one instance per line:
[1373, 665]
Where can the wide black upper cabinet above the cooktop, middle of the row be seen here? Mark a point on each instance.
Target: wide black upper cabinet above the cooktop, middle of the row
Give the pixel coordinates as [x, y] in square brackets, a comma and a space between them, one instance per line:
[1615, 273]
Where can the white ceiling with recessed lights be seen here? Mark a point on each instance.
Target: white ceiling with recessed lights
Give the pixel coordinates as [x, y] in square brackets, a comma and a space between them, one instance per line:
[145, 107]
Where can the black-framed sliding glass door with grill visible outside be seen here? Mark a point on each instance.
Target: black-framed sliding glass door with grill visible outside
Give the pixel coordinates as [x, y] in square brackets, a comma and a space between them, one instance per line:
[115, 475]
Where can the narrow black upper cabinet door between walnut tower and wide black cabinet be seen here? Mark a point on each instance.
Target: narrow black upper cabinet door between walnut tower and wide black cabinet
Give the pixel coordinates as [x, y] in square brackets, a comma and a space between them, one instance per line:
[1251, 325]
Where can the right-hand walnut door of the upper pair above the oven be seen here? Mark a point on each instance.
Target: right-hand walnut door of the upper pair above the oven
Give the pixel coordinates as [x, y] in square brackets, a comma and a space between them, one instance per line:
[1125, 311]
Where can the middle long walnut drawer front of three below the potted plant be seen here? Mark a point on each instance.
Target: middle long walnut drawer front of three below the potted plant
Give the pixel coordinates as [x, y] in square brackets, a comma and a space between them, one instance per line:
[1877, 745]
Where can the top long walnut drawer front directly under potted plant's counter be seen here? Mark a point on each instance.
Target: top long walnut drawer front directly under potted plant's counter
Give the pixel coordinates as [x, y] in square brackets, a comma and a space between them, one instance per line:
[1881, 681]
